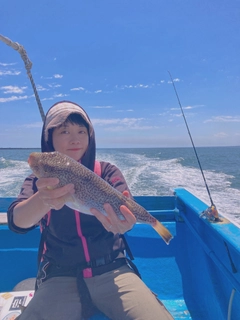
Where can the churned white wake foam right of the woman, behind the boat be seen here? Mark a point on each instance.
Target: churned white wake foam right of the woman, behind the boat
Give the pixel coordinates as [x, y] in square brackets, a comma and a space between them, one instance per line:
[148, 176]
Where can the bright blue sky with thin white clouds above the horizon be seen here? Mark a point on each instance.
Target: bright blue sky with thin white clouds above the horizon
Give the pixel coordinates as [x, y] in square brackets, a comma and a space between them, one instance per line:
[113, 57]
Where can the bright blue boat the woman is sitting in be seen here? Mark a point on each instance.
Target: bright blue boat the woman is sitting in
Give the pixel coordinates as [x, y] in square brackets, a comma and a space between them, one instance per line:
[196, 276]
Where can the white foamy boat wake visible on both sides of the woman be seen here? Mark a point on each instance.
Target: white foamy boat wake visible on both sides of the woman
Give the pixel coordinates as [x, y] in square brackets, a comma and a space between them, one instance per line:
[146, 176]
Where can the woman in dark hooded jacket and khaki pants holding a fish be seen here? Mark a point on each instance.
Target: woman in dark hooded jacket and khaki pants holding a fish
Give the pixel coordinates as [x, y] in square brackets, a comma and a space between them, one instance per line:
[82, 262]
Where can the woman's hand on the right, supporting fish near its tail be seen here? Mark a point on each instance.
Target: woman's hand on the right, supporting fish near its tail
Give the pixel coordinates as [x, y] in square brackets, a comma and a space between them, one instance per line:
[111, 222]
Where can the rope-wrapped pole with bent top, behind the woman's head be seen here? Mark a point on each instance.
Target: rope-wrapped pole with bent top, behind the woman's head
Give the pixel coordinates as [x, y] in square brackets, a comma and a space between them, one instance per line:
[28, 65]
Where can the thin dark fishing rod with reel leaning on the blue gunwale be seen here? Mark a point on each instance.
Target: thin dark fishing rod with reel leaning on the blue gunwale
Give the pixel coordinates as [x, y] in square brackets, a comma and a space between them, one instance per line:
[211, 212]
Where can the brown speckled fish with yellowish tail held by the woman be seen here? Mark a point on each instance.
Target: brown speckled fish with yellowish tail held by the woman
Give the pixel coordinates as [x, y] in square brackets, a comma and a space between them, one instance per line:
[91, 191]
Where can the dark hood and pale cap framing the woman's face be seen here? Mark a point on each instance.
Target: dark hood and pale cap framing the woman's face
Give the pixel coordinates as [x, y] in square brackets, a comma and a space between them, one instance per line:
[56, 116]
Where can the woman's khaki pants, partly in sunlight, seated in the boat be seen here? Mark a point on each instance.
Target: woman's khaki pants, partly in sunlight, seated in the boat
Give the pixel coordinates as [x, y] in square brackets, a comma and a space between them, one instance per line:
[119, 294]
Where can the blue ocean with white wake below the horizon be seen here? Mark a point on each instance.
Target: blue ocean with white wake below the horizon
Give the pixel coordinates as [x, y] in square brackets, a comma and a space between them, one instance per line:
[154, 171]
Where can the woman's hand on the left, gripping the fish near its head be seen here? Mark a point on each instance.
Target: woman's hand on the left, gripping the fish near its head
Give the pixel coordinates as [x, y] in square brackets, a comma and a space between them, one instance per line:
[51, 197]
